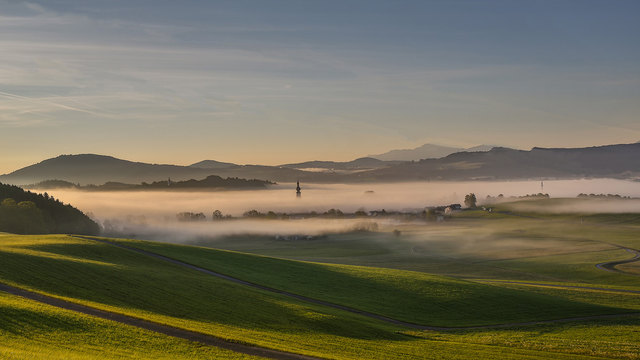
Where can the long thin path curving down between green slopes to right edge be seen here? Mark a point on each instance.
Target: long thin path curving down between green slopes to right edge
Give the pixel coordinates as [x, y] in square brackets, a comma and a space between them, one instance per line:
[342, 307]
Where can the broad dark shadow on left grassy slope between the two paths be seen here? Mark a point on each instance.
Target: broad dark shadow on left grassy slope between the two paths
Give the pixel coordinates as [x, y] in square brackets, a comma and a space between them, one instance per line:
[142, 284]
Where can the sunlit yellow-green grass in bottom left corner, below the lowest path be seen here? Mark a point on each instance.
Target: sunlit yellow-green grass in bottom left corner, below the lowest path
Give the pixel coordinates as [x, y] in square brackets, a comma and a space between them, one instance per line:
[31, 330]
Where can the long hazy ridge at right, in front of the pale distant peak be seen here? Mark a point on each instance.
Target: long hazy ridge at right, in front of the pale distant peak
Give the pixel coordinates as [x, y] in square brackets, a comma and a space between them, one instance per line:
[613, 161]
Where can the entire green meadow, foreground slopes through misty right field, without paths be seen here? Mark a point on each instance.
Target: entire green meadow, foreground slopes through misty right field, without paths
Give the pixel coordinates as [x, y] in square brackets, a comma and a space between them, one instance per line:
[476, 269]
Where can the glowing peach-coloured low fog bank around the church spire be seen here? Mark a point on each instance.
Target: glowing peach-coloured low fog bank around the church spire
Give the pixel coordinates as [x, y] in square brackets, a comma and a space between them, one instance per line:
[151, 214]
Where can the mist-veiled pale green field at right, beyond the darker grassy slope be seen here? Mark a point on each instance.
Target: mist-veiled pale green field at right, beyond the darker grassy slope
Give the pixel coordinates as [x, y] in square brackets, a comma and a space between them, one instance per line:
[508, 245]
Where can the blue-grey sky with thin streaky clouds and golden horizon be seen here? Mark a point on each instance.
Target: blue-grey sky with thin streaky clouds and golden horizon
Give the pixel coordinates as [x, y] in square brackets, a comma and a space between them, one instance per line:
[275, 81]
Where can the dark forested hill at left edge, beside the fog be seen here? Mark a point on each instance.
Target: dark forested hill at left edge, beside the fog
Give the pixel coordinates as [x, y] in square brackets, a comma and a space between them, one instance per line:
[23, 212]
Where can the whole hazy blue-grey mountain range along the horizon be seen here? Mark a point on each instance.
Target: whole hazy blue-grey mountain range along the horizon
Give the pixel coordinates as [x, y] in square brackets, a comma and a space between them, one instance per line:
[499, 163]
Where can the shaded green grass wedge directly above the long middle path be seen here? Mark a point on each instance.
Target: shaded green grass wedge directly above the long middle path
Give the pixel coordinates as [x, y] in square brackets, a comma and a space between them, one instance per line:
[405, 295]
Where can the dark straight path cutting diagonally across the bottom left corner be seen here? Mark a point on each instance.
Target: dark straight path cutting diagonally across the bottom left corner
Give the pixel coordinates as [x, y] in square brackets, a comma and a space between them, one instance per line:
[156, 327]
